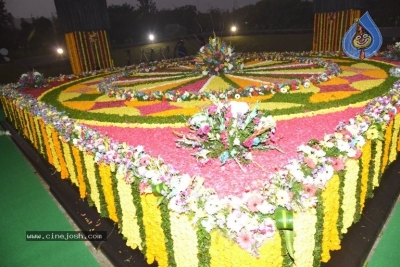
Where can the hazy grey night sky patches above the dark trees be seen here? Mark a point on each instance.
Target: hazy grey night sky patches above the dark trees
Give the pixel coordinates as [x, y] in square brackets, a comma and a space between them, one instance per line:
[37, 8]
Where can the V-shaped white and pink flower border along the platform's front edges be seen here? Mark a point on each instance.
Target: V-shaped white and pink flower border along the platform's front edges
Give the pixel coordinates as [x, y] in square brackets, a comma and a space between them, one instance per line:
[249, 220]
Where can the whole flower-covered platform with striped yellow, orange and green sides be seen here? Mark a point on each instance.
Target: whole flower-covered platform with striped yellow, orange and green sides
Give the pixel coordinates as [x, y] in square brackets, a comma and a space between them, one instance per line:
[255, 159]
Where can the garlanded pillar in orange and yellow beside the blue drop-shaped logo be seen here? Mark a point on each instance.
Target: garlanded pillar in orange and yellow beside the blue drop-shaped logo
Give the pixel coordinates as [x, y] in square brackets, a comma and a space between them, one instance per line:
[332, 19]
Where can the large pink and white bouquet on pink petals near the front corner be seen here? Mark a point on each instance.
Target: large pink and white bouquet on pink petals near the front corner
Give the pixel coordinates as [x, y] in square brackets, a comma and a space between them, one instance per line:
[229, 130]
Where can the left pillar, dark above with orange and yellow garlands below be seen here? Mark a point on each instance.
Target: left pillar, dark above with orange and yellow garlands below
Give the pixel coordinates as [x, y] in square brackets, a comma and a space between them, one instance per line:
[85, 24]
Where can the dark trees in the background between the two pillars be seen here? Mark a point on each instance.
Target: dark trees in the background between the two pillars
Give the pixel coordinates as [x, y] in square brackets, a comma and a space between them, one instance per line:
[130, 23]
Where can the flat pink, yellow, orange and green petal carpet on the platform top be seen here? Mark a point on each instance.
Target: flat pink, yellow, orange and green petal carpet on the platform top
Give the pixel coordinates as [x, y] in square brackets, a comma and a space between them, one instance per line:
[302, 113]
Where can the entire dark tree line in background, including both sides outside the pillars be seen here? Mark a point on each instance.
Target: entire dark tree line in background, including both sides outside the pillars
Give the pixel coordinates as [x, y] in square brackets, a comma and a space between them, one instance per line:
[133, 23]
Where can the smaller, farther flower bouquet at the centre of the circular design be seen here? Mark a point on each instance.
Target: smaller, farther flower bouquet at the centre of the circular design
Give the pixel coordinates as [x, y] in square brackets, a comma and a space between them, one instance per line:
[217, 58]
